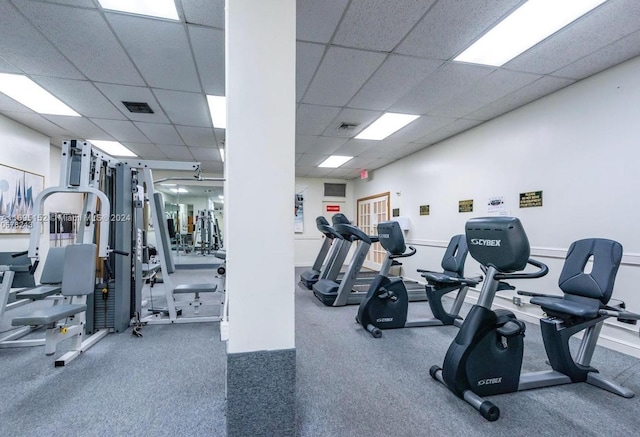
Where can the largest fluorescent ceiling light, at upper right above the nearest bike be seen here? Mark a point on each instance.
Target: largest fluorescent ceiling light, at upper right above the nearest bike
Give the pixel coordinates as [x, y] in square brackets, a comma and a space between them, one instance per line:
[525, 27]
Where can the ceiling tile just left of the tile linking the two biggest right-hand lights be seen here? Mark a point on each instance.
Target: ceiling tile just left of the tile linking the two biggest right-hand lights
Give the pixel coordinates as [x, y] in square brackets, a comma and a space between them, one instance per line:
[397, 76]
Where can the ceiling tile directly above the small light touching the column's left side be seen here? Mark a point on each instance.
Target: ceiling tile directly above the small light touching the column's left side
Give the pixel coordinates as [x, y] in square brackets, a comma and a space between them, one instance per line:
[208, 49]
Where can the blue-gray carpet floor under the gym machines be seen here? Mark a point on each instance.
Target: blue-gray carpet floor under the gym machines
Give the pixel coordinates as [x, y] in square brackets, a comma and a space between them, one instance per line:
[171, 382]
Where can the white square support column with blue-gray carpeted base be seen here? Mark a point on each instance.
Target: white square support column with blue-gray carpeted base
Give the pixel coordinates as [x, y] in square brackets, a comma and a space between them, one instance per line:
[259, 203]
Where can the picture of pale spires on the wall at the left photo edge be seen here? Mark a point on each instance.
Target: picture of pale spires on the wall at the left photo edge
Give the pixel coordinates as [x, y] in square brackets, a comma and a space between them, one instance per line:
[18, 191]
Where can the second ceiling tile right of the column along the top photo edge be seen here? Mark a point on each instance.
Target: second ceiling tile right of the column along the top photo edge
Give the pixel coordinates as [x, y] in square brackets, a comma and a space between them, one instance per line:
[379, 24]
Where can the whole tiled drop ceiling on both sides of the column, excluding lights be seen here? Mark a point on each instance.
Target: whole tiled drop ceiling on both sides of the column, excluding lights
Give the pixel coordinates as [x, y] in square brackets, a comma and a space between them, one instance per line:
[356, 59]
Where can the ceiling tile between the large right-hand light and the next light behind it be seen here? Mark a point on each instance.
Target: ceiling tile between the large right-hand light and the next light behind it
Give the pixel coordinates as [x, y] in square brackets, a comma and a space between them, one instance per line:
[438, 87]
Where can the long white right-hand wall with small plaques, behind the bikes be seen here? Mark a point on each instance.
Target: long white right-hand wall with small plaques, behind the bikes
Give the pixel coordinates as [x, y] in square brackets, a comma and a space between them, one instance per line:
[579, 146]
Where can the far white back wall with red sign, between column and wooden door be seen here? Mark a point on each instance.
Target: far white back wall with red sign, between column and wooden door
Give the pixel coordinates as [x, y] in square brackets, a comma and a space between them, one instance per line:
[307, 244]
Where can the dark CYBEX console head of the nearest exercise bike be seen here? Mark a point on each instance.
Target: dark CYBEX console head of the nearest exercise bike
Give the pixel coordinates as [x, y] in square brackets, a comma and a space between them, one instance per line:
[499, 242]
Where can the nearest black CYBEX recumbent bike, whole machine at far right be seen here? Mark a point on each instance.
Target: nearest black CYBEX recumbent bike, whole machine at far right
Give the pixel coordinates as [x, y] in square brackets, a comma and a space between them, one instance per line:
[485, 358]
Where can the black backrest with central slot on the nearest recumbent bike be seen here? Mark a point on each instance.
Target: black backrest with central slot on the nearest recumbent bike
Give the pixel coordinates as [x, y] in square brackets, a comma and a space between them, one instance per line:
[597, 284]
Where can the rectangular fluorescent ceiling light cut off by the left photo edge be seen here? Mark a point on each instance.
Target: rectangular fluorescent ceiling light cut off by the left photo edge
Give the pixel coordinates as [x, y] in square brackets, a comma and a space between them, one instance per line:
[32, 95]
